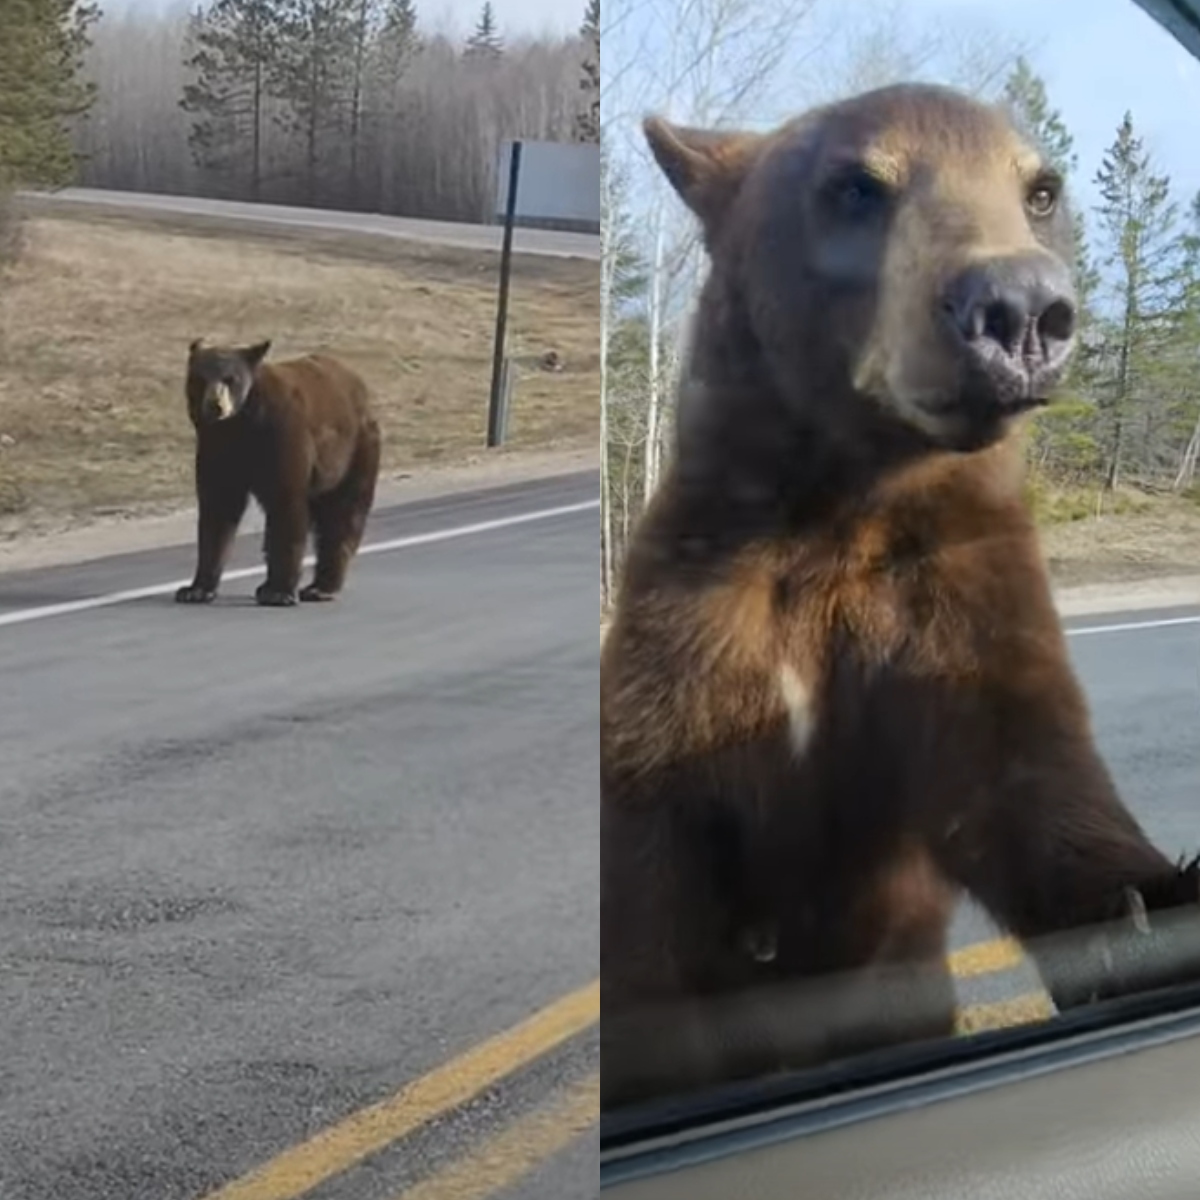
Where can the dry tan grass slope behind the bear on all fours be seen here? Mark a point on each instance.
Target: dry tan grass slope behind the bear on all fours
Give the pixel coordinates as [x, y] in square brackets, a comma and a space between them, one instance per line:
[97, 320]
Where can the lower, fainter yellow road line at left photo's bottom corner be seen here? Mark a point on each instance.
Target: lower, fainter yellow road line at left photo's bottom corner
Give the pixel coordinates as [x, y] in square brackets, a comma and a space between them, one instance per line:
[506, 1160]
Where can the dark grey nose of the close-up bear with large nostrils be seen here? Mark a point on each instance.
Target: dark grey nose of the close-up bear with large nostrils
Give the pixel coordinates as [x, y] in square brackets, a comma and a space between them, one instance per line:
[1024, 305]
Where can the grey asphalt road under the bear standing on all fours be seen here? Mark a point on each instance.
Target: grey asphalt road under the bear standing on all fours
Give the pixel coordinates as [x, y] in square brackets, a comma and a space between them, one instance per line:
[261, 868]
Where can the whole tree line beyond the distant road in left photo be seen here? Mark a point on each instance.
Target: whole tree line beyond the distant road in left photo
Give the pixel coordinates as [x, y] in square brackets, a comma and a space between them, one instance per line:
[347, 104]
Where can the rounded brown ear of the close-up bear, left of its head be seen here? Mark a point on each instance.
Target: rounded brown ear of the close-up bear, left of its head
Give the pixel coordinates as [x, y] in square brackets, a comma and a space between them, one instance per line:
[706, 167]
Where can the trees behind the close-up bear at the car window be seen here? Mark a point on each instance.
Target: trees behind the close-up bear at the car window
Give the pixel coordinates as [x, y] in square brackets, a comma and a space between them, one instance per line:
[1129, 416]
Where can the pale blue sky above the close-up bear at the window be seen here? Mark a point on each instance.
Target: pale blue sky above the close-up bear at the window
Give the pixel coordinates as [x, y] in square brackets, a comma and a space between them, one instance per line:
[1099, 58]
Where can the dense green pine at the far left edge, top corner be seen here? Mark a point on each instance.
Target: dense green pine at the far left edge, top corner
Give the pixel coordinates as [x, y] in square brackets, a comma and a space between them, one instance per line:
[41, 49]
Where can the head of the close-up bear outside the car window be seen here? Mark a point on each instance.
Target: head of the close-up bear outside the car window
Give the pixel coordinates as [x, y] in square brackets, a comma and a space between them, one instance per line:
[897, 265]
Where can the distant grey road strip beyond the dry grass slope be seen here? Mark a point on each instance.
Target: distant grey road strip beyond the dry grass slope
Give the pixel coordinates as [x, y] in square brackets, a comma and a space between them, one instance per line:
[549, 243]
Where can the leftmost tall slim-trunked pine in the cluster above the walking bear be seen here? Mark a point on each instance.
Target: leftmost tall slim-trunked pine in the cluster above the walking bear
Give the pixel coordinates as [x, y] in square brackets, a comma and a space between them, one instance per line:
[233, 46]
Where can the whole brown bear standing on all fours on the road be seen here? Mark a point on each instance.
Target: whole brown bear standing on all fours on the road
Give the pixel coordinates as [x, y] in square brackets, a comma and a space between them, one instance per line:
[298, 437]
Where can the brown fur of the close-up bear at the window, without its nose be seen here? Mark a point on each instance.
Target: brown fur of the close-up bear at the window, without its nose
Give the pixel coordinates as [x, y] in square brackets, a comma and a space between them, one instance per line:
[843, 524]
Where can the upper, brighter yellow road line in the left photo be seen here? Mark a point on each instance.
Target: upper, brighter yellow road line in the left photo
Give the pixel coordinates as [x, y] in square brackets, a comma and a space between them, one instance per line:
[302, 1168]
